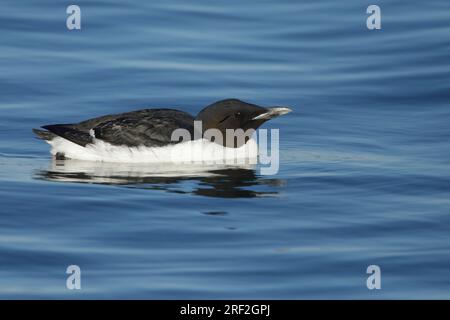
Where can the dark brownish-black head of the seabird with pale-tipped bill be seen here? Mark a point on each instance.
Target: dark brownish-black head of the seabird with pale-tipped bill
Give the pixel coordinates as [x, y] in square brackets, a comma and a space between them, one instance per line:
[235, 114]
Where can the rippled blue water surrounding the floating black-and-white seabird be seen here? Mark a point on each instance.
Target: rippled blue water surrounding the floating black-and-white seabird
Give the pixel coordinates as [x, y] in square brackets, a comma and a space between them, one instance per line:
[364, 171]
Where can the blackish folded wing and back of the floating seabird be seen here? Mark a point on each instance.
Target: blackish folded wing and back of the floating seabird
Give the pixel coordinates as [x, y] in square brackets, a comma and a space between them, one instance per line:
[149, 127]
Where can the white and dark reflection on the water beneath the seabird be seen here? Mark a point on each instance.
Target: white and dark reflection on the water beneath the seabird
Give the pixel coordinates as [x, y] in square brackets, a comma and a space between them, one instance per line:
[203, 180]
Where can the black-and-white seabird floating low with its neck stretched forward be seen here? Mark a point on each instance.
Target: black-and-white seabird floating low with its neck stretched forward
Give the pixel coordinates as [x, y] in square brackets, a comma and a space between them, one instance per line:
[150, 131]
